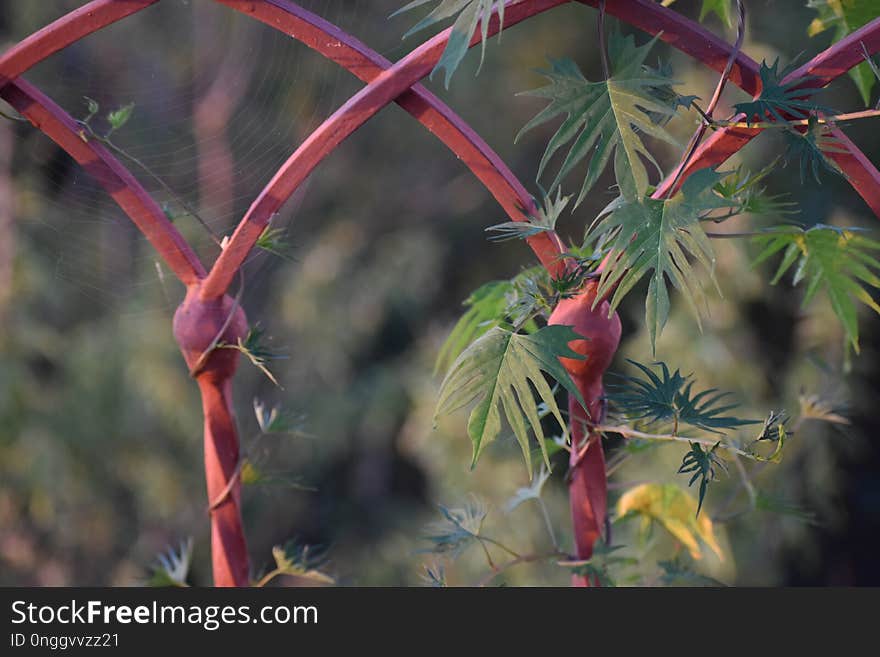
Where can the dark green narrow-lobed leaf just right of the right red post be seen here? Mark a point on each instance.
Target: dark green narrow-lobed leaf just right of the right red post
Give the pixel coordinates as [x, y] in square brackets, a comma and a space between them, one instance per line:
[670, 398]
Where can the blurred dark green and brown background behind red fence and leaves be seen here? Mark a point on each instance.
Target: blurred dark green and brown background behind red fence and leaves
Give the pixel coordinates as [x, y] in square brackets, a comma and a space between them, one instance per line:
[100, 426]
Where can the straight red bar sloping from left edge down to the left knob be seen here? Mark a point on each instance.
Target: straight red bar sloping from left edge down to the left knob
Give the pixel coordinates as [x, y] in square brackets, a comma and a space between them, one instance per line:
[110, 174]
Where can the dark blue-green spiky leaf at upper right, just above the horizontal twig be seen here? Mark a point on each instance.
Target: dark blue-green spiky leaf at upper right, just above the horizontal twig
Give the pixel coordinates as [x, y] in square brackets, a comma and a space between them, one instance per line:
[777, 99]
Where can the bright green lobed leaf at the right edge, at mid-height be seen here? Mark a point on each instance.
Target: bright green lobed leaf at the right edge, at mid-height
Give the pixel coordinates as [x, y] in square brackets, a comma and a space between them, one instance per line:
[839, 260]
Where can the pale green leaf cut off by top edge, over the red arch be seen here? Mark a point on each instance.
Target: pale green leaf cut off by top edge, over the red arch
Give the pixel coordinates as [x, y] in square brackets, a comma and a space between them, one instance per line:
[470, 13]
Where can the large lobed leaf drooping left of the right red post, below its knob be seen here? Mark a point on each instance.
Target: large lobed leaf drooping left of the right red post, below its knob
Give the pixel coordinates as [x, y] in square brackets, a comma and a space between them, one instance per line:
[496, 371]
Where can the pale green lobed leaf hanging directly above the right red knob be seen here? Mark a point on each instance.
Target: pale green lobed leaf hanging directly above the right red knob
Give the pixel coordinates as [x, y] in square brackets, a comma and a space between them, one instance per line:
[661, 236]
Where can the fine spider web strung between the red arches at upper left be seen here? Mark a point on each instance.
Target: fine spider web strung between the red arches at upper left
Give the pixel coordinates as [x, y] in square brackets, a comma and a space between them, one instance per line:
[220, 101]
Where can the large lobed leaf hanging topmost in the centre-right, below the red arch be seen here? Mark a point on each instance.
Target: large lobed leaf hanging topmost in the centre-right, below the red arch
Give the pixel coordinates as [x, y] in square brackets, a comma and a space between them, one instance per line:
[607, 117]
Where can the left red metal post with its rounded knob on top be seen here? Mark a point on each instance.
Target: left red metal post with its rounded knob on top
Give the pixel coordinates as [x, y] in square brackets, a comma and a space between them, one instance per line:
[199, 326]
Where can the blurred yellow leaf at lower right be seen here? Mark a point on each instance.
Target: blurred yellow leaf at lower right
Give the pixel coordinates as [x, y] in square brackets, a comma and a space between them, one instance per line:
[676, 511]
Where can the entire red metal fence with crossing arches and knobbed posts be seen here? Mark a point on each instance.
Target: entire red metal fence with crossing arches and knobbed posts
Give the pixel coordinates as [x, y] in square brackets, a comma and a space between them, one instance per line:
[208, 313]
